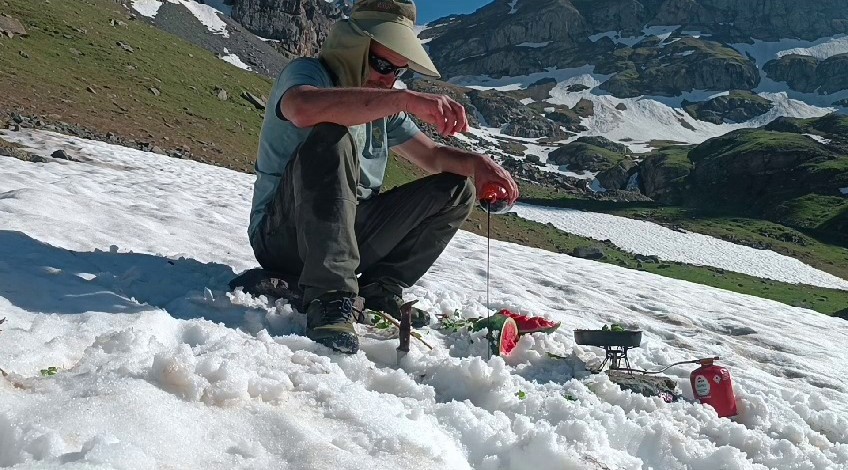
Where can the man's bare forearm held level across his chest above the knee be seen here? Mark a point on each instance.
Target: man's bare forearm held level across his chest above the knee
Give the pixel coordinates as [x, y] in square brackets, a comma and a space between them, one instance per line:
[307, 106]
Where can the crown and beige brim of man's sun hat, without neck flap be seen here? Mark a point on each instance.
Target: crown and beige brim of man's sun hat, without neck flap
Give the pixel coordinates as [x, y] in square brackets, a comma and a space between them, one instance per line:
[392, 24]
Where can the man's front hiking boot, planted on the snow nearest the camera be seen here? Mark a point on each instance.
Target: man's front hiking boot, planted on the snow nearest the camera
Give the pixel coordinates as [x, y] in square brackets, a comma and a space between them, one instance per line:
[329, 321]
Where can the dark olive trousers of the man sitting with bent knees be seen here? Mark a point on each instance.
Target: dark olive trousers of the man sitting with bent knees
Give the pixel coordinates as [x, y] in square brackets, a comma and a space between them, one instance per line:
[314, 227]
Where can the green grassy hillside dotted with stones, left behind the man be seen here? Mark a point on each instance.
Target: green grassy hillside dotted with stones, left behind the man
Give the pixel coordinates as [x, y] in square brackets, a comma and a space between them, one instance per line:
[73, 47]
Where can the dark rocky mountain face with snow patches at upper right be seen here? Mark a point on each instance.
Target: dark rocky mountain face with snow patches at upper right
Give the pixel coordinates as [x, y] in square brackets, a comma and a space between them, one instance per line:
[654, 47]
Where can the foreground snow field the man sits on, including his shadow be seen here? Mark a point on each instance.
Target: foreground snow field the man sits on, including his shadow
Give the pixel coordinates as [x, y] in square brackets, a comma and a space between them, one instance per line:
[160, 366]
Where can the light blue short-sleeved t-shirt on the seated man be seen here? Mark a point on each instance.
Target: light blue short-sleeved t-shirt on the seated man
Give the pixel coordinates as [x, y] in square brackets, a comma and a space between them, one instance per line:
[280, 138]
